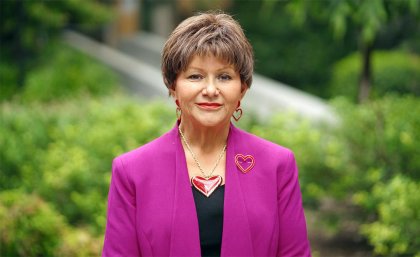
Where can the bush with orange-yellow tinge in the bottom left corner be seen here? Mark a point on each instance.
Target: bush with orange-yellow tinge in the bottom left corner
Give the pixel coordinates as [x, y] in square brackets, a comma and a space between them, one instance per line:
[32, 227]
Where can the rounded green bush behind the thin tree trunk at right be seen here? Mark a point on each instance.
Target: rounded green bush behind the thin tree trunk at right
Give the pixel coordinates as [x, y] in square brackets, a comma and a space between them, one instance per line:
[393, 71]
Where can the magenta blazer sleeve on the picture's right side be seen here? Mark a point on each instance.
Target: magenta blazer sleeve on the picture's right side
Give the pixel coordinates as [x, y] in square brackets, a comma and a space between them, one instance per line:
[293, 239]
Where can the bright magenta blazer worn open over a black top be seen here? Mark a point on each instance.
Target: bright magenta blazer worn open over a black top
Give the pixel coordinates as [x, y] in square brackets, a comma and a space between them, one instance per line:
[151, 209]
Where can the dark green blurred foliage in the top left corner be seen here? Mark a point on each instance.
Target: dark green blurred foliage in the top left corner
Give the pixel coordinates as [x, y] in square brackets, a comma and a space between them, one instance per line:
[27, 29]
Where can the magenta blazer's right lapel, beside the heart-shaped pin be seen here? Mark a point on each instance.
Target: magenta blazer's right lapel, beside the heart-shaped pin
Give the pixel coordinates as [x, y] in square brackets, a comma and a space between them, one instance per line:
[236, 239]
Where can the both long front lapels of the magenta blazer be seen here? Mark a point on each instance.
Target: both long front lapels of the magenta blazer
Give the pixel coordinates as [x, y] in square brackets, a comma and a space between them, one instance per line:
[185, 239]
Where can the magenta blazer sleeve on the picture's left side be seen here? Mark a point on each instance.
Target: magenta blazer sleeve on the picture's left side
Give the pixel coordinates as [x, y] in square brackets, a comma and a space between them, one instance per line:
[120, 233]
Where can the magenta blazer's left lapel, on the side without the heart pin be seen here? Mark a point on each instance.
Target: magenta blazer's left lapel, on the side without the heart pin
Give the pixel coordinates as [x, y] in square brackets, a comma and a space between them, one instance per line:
[185, 238]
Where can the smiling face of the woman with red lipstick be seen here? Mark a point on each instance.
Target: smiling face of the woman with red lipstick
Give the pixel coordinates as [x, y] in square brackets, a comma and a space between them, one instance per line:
[208, 91]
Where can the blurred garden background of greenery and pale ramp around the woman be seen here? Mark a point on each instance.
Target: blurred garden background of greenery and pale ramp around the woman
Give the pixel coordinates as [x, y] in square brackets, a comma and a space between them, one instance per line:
[338, 82]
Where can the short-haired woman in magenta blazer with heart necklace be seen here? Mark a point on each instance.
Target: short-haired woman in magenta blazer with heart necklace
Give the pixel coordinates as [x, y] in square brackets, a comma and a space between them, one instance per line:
[205, 187]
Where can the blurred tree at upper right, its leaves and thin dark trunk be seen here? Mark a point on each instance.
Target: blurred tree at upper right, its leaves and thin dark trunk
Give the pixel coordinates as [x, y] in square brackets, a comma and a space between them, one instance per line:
[367, 19]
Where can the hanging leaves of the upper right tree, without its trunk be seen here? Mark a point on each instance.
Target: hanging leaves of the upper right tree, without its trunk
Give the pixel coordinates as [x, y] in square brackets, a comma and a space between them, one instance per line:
[367, 18]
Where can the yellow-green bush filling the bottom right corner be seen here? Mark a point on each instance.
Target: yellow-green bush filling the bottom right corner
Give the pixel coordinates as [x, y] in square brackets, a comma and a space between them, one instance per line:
[397, 228]
